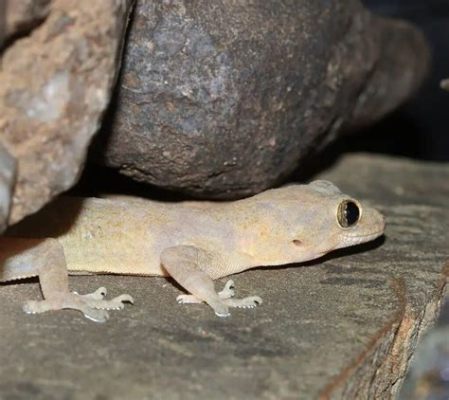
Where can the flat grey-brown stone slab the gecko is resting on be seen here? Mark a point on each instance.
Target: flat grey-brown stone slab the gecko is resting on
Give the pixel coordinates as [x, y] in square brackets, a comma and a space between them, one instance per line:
[341, 327]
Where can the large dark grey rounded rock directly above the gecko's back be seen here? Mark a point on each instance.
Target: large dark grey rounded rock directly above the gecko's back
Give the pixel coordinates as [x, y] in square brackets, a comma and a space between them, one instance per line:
[223, 99]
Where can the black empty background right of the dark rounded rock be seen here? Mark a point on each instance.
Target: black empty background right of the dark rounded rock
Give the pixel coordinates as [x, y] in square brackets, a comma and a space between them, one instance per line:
[420, 129]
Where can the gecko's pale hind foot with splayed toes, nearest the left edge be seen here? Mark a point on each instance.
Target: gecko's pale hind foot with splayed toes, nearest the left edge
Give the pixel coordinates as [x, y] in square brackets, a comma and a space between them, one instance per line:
[92, 305]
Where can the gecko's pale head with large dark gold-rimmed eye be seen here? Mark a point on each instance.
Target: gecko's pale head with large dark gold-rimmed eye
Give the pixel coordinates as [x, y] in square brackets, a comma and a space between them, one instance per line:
[312, 220]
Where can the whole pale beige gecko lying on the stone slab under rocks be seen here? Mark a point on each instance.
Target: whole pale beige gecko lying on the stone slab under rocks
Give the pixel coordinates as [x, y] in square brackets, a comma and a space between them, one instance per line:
[193, 242]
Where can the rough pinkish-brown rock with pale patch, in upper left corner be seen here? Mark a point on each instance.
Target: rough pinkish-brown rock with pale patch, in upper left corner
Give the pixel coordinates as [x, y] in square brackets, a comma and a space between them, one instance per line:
[55, 84]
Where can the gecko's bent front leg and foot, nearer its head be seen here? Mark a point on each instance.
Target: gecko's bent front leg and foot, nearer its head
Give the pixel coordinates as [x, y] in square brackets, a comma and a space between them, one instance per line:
[188, 265]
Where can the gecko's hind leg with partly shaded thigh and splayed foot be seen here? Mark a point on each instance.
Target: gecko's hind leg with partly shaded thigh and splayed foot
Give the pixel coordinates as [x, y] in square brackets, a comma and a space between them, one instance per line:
[25, 258]
